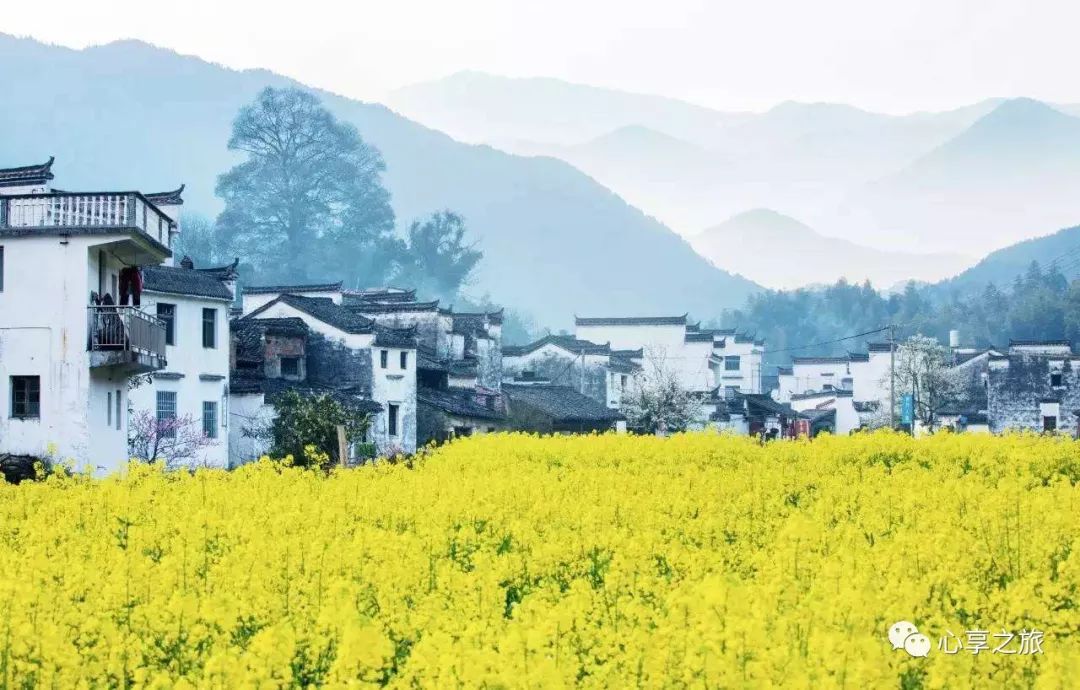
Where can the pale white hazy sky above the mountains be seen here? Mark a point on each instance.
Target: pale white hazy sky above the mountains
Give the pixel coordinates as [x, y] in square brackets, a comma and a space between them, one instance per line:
[895, 57]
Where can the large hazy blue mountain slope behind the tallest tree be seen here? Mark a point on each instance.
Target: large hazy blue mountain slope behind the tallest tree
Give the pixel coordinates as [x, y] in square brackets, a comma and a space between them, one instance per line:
[132, 116]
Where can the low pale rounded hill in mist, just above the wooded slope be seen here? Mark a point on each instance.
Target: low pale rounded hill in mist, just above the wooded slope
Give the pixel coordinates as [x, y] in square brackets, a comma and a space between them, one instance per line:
[779, 252]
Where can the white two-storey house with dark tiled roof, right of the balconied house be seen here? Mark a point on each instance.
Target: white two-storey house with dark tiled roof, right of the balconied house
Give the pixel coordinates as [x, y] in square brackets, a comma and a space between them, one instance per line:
[194, 304]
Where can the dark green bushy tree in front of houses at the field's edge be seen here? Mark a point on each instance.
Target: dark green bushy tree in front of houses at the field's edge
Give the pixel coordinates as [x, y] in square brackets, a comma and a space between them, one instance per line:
[308, 422]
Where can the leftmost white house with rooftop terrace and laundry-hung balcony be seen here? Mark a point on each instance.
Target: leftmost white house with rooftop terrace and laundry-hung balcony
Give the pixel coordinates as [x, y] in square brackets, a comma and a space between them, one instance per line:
[66, 359]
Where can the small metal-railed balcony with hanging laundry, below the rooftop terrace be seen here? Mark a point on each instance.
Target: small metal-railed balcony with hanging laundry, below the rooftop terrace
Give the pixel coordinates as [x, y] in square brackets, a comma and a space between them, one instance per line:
[126, 337]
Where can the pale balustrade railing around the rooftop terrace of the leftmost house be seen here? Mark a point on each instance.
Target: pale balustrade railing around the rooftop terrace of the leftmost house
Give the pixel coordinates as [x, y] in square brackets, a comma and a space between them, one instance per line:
[86, 212]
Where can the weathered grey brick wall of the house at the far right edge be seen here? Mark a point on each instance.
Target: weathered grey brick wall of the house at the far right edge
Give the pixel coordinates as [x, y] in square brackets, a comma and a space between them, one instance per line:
[1018, 388]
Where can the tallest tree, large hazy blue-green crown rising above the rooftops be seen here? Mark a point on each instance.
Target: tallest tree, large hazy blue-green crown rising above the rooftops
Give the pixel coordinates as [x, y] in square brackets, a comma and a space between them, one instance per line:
[308, 202]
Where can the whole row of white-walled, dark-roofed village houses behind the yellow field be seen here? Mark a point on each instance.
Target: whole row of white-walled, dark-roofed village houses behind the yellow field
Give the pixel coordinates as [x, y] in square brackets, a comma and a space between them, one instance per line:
[101, 327]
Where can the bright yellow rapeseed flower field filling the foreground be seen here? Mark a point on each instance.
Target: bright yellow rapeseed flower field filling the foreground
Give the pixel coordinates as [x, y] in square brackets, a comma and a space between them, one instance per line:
[520, 562]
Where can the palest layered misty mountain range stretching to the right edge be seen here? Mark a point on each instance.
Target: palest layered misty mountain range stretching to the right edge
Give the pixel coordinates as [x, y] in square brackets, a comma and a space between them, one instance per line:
[955, 185]
